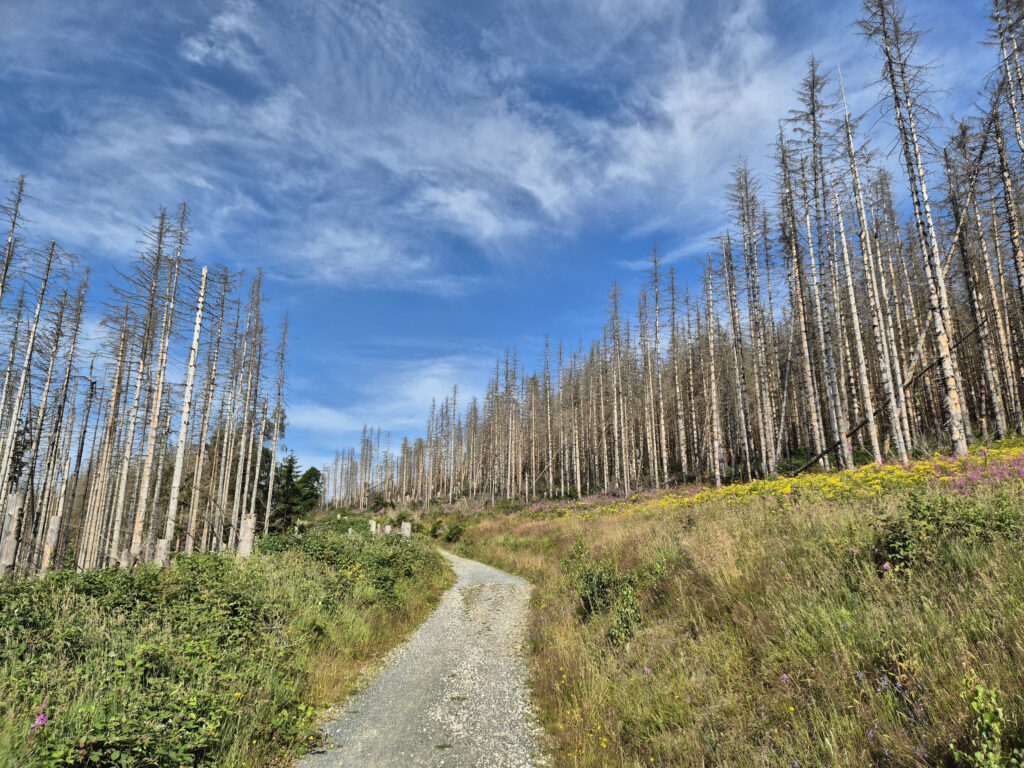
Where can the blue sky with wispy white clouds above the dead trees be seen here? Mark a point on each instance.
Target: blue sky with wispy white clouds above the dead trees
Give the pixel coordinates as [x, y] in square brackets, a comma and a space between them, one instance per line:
[426, 182]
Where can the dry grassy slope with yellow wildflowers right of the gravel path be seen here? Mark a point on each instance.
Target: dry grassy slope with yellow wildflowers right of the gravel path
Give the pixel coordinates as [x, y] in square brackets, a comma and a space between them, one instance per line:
[826, 621]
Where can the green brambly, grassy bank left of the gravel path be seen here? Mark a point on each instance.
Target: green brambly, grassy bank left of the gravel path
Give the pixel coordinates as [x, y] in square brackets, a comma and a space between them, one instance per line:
[212, 662]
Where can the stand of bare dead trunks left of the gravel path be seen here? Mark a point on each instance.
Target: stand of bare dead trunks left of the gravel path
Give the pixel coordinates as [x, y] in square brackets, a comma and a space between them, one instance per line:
[110, 453]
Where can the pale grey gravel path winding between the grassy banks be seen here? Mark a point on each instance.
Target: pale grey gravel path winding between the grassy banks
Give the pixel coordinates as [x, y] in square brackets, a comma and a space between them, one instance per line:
[455, 696]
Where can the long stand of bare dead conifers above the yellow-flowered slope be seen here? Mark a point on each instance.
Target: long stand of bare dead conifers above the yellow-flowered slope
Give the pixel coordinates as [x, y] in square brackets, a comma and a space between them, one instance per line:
[862, 306]
